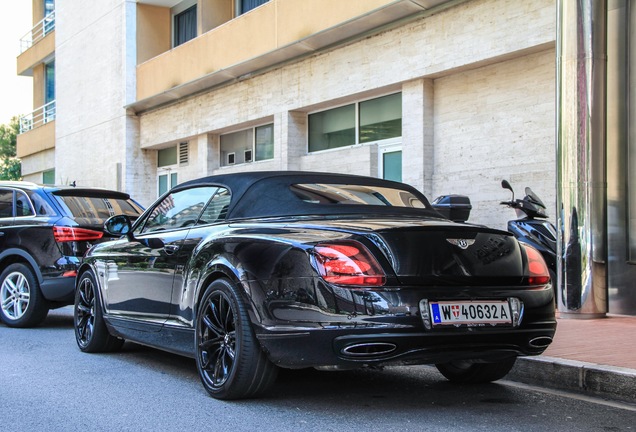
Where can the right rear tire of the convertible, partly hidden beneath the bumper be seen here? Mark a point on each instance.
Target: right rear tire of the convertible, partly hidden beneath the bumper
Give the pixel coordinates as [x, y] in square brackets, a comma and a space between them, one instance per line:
[470, 372]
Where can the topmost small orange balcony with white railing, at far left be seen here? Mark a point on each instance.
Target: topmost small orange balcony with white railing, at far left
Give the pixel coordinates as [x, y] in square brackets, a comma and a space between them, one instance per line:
[37, 46]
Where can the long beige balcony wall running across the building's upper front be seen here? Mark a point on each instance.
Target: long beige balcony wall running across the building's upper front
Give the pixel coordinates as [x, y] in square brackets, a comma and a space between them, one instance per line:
[272, 34]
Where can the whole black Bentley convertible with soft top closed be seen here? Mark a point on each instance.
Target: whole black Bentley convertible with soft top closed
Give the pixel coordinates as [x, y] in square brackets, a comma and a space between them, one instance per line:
[248, 273]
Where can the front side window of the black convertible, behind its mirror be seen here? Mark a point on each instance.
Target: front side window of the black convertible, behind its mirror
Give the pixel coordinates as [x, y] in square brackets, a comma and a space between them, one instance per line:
[179, 209]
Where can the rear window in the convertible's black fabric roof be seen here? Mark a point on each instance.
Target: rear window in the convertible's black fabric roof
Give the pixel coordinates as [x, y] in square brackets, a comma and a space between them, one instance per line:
[333, 194]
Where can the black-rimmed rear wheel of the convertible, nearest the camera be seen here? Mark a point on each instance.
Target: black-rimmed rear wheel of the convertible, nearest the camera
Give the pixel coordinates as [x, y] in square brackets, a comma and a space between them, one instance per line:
[229, 358]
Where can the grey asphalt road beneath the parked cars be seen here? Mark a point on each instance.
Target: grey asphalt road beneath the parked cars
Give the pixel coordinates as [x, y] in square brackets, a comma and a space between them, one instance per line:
[47, 384]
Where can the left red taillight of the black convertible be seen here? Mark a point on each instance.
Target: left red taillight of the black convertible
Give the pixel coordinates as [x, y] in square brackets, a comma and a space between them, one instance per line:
[348, 263]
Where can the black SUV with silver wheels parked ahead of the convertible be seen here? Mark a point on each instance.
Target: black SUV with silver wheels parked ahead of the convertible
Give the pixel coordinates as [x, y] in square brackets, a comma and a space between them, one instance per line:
[44, 232]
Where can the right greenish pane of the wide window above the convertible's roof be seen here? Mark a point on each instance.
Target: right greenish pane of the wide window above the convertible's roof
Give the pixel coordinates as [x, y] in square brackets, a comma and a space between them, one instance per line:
[381, 118]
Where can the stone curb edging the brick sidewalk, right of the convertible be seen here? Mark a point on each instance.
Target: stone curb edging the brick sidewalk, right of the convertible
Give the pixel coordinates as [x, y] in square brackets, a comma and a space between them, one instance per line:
[607, 382]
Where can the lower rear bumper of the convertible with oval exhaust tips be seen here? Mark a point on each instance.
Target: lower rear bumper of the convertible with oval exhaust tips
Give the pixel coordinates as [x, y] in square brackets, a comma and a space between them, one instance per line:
[355, 347]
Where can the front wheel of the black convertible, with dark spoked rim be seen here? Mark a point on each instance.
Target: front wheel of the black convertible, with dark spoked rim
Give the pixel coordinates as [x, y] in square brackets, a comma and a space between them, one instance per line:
[91, 333]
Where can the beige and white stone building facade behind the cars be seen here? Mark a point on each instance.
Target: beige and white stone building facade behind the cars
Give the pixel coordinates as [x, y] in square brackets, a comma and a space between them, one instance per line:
[450, 96]
